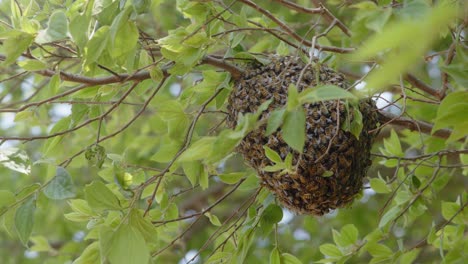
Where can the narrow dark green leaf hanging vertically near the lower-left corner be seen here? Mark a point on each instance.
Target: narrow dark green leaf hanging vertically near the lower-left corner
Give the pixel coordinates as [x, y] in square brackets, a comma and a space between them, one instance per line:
[24, 220]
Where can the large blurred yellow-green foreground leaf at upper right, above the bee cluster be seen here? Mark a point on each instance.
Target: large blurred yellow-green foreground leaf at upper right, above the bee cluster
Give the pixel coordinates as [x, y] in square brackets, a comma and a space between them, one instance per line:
[402, 54]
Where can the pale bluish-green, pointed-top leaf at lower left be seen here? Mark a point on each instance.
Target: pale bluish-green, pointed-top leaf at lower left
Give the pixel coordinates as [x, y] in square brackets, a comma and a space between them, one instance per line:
[61, 186]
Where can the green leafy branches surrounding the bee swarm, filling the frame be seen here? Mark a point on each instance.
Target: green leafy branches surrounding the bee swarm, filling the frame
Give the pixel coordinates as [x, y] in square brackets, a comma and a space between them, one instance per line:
[114, 149]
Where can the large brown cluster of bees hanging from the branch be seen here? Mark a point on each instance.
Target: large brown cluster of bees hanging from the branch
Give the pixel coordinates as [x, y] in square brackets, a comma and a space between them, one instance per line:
[331, 169]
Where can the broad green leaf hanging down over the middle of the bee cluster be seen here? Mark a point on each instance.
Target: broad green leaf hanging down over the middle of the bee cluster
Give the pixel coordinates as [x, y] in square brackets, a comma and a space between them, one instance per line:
[293, 129]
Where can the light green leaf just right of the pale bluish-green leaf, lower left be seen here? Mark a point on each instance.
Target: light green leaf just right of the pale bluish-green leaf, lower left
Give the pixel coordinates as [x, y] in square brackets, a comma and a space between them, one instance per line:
[100, 198]
